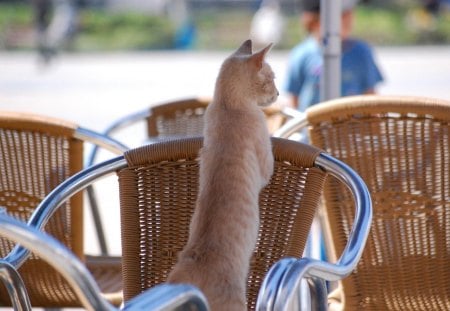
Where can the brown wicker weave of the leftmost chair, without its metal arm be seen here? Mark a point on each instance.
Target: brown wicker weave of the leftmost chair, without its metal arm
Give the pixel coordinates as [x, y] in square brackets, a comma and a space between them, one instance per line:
[32, 163]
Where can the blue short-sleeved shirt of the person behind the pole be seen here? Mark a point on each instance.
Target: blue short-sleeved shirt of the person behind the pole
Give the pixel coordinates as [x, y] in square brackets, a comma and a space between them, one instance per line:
[359, 72]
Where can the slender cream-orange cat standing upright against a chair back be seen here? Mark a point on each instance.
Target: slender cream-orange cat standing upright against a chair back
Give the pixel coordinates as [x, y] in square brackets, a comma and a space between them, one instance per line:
[236, 162]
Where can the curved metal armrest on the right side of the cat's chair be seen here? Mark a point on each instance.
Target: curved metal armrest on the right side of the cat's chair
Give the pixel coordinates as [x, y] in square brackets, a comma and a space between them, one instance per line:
[282, 284]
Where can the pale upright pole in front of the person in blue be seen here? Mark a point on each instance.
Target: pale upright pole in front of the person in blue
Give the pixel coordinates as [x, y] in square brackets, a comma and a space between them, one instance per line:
[330, 19]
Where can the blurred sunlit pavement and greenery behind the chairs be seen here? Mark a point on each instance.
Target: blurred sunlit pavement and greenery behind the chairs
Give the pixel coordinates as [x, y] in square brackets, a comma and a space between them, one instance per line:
[94, 61]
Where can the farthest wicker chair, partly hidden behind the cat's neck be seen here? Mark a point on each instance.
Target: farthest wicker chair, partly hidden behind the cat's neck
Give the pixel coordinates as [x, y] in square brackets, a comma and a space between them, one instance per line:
[168, 120]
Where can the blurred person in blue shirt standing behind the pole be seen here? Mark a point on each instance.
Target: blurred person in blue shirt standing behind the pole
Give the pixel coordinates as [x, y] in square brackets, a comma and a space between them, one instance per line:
[359, 71]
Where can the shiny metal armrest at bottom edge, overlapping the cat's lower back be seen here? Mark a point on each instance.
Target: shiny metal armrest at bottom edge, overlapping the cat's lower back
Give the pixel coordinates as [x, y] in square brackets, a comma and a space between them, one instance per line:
[169, 297]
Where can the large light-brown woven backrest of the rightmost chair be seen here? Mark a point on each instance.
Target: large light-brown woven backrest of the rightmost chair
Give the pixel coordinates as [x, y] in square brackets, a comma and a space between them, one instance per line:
[400, 146]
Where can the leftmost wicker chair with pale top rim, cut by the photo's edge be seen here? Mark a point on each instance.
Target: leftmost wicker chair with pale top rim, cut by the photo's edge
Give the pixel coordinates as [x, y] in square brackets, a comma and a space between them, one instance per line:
[36, 154]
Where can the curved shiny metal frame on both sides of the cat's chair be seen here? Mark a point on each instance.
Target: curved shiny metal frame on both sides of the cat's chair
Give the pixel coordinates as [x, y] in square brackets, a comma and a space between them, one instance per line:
[282, 282]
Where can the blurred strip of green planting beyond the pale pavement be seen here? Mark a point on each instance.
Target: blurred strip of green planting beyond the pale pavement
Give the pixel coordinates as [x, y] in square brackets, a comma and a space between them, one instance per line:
[105, 25]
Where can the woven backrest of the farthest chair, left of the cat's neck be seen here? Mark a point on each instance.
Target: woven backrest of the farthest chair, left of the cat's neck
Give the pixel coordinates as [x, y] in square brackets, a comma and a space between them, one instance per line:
[179, 118]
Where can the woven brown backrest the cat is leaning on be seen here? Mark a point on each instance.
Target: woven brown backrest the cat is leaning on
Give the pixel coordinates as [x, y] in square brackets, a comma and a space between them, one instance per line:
[158, 193]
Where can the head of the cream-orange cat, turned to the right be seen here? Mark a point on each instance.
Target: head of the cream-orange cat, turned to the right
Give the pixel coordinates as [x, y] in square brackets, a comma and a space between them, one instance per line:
[247, 74]
